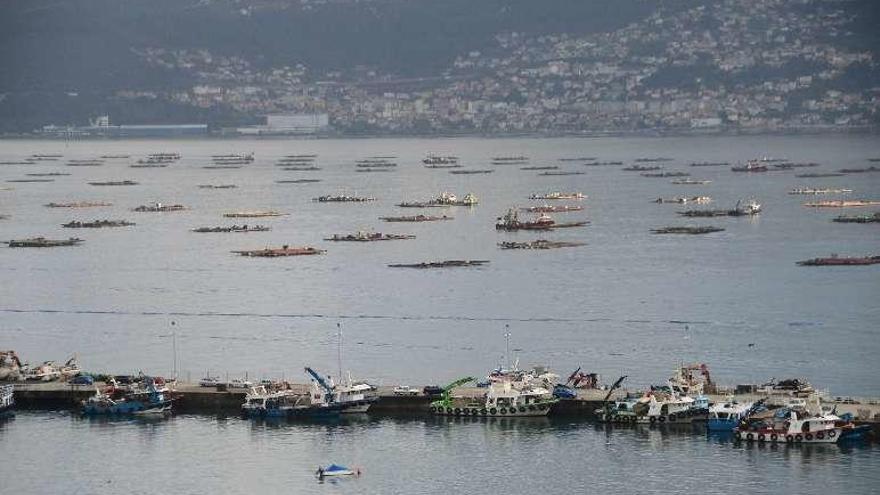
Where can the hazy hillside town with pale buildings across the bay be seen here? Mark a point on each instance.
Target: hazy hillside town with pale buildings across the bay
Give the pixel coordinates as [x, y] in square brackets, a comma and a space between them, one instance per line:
[733, 65]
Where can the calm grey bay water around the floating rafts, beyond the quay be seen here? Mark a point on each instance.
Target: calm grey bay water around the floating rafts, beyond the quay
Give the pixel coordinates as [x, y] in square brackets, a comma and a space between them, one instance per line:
[628, 302]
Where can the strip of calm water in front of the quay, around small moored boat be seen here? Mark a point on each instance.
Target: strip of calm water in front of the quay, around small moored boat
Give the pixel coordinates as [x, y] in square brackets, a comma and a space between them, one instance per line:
[48, 453]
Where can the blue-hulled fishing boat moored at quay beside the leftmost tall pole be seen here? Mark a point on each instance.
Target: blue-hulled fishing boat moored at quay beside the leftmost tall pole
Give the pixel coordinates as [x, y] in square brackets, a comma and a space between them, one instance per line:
[149, 396]
